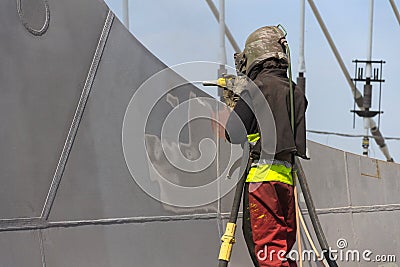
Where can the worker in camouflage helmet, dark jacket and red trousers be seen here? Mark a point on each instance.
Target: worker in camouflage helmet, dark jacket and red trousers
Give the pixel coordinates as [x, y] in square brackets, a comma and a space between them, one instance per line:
[269, 221]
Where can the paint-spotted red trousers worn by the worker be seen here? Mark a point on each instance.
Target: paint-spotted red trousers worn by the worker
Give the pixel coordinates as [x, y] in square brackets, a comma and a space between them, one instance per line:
[269, 222]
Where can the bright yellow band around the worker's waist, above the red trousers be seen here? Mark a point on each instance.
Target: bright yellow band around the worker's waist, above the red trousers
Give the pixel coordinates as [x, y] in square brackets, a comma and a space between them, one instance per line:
[268, 173]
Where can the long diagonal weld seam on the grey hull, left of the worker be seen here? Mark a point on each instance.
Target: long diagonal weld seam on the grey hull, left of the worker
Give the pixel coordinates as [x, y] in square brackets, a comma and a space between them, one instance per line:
[77, 116]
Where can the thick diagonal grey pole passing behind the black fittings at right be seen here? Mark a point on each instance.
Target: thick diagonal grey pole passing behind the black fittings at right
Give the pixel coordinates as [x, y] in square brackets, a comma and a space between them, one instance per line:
[356, 93]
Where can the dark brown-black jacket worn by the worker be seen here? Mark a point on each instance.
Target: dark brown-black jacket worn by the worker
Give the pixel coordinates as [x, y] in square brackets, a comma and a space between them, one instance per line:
[274, 85]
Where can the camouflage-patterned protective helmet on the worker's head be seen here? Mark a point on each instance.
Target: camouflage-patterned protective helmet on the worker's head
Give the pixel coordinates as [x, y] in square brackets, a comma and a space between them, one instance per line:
[264, 43]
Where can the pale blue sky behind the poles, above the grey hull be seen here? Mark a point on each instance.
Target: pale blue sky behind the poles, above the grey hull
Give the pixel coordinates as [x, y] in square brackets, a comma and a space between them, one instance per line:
[179, 31]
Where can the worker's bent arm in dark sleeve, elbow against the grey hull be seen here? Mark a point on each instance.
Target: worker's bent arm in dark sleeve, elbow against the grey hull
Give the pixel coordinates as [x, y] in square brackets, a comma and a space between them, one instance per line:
[240, 123]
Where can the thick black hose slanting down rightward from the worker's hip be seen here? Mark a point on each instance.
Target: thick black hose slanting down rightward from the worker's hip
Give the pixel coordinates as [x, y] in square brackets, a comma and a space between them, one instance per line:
[313, 215]
